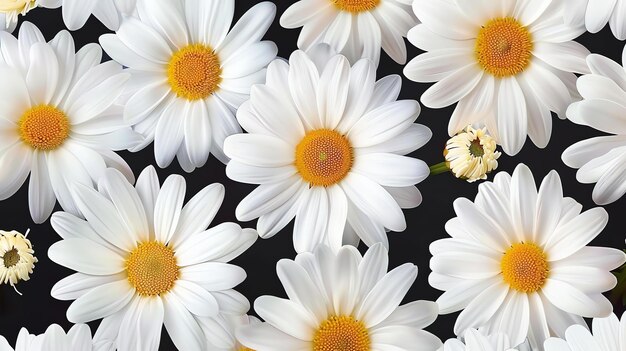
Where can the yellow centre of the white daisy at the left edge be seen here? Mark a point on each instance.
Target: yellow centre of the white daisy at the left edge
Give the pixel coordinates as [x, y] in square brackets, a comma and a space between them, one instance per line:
[44, 127]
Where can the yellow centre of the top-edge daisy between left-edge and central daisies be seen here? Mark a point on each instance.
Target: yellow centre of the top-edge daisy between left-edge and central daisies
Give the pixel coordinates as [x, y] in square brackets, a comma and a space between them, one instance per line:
[194, 72]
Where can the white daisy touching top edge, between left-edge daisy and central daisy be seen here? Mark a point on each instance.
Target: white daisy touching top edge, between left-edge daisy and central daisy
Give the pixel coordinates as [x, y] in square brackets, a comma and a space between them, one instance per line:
[190, 73]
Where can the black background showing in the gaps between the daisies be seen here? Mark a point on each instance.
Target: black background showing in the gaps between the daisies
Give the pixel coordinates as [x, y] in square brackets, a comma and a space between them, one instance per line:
[36, 309]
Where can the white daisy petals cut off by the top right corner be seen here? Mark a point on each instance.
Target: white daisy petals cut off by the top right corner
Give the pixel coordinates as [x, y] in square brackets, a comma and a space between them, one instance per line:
[595, 14]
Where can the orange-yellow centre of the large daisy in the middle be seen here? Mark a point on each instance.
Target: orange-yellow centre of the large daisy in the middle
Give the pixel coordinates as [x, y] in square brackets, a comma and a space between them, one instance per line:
[323, 157]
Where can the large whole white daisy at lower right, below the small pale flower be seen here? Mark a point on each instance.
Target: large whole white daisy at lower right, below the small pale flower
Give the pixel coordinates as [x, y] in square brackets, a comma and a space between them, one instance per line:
[517, 262]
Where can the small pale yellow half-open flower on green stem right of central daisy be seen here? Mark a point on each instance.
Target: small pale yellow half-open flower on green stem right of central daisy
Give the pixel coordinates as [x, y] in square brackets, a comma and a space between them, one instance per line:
[471, 154]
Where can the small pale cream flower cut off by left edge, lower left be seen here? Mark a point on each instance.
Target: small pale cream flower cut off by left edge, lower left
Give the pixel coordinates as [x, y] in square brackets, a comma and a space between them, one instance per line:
[17, 259]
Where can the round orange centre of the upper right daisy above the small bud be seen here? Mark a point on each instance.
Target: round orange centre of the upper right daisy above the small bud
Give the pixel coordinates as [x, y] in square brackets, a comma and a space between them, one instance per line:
[504, 47]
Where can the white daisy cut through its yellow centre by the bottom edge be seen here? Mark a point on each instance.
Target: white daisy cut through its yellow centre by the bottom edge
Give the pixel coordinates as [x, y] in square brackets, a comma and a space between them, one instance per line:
[342, 301]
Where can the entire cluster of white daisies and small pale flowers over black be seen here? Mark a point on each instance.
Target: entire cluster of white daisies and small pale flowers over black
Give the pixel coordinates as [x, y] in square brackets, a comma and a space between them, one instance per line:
[330, 146]
